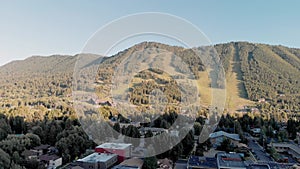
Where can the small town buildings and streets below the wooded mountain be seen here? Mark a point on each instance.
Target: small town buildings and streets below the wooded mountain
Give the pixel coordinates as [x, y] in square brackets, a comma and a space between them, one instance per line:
[225, 148]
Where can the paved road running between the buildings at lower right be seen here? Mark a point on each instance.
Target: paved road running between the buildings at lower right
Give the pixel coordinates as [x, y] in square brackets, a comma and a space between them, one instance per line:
[258, 151]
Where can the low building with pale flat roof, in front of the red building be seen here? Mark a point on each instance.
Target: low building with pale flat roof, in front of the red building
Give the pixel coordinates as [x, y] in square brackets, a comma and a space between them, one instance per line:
[98, 161]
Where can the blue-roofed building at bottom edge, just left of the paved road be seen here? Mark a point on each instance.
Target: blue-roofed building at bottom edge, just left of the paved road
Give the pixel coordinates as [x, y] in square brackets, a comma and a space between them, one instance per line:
[230, 161]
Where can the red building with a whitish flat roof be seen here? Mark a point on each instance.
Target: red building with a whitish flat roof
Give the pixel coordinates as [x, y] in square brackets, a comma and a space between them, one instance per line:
[121, 149]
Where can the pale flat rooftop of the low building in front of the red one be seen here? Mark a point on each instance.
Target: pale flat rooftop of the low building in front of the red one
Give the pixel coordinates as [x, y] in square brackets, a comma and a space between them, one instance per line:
[97, 157]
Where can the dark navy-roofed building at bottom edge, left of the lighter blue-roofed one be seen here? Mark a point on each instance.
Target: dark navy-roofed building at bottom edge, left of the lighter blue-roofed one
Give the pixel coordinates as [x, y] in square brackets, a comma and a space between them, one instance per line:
[196, 162]
